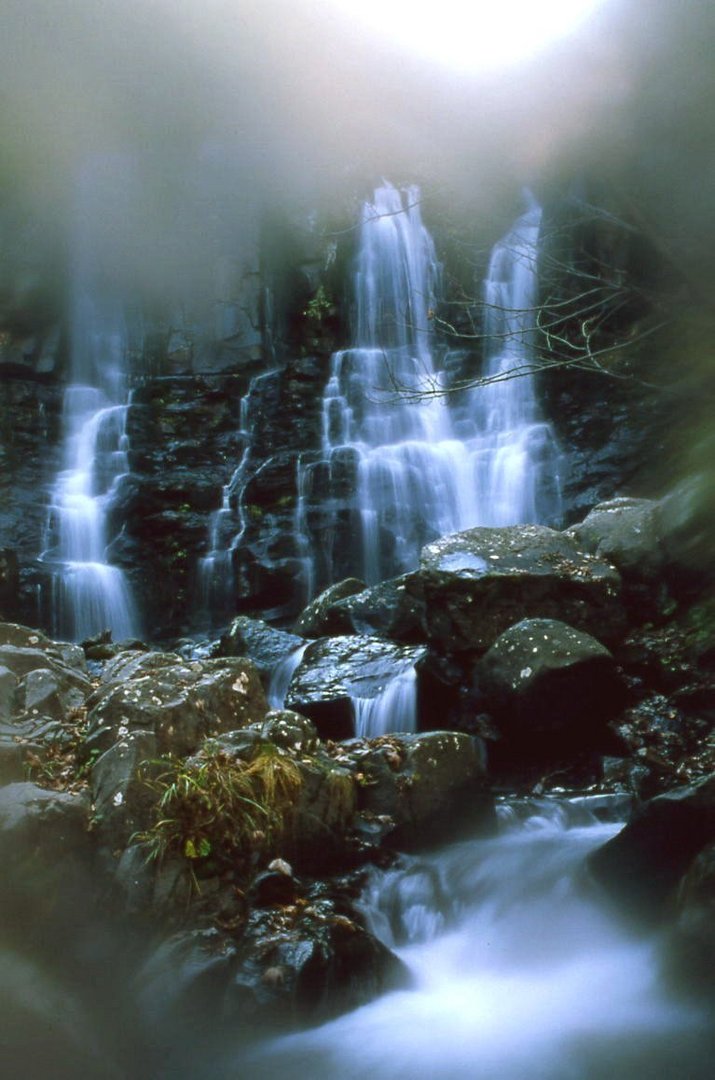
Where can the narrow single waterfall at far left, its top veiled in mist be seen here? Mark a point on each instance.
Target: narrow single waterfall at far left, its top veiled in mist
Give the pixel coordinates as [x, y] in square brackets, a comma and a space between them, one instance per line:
[88, 595]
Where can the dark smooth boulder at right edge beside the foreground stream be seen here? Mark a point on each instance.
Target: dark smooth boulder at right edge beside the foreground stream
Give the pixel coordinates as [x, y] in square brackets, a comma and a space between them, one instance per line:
[642, 868]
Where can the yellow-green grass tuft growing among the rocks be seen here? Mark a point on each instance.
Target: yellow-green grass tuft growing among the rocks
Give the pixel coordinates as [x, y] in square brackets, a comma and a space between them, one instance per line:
[221, 806]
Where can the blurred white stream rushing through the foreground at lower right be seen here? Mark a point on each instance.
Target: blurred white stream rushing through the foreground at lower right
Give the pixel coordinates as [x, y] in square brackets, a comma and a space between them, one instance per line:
[517, 973]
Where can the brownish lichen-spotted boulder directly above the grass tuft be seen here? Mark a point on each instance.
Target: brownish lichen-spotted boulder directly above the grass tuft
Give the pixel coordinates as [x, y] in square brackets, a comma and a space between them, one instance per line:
[180, 701]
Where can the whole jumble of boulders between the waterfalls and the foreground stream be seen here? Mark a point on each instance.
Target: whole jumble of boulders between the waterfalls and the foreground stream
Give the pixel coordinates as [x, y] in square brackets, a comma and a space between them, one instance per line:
[543, 659]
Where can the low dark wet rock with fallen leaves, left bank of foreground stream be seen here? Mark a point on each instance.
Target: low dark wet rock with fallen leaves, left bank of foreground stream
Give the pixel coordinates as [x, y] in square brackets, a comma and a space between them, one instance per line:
[291, 966]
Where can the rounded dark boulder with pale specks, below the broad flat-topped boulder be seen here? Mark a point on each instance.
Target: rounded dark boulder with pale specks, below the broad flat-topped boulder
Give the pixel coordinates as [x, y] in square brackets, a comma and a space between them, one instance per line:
[551, 688]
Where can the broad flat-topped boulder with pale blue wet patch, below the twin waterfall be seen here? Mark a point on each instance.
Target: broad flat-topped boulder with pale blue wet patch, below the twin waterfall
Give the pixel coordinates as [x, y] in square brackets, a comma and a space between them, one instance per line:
[478, 584]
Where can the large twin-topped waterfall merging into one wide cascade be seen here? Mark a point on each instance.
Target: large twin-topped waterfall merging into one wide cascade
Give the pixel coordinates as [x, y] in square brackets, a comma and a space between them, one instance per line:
[384, 407]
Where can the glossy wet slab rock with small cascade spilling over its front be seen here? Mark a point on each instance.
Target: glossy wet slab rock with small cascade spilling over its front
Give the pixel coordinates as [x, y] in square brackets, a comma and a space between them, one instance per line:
[338, 674]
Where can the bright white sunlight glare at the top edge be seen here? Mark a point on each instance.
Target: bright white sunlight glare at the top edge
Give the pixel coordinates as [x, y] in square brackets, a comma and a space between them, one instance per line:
[471, 36]
